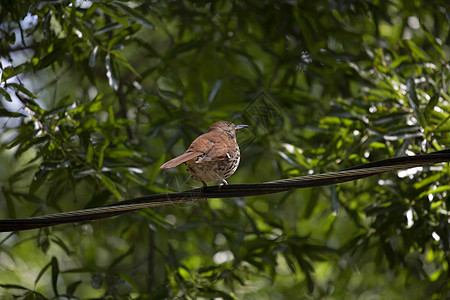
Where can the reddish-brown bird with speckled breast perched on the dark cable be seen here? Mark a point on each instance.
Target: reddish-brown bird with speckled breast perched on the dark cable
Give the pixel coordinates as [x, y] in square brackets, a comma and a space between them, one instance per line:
[212, 156]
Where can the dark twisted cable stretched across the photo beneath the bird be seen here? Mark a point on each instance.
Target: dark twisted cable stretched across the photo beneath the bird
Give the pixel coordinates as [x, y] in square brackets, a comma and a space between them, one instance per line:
[227, 191]
